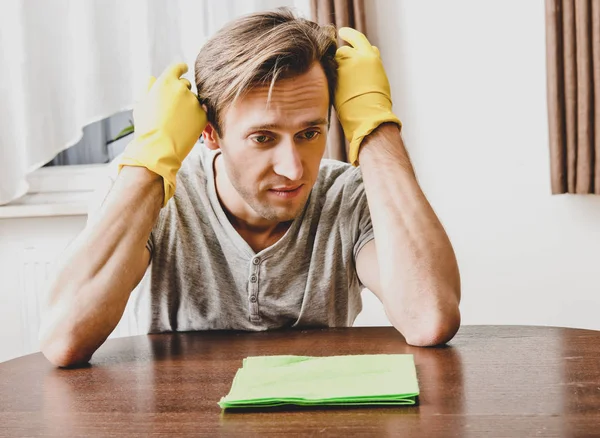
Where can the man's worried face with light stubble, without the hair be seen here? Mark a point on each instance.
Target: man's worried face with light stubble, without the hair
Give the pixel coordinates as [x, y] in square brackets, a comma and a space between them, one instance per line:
[272, 151]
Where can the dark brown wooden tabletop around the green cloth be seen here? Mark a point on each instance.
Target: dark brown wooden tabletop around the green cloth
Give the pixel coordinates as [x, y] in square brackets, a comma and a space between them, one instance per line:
[491, 381]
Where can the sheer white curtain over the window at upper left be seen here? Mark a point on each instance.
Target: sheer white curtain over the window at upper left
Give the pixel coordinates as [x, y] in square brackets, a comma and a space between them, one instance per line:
[67, 63]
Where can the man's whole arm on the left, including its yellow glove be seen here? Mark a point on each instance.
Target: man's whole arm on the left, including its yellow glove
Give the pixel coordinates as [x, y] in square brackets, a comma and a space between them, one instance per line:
[89, 294]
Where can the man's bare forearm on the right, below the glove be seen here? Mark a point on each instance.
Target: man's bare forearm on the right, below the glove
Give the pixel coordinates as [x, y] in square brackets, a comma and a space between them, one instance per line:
[419, 276]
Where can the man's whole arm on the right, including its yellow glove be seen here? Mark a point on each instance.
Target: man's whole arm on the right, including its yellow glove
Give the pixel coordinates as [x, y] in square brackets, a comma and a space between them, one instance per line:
[411, 265]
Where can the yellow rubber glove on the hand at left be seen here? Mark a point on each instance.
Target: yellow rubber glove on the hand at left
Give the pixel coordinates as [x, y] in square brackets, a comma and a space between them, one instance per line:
[168, 122]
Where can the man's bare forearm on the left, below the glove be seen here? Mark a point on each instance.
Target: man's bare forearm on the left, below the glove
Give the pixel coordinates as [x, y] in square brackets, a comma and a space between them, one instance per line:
[93, 282]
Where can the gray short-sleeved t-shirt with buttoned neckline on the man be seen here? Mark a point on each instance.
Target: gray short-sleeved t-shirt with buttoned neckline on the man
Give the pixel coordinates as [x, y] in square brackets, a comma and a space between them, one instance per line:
[204, 276]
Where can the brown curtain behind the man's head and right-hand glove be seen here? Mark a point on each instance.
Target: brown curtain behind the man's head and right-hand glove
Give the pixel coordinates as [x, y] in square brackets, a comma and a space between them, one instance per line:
[350, 13]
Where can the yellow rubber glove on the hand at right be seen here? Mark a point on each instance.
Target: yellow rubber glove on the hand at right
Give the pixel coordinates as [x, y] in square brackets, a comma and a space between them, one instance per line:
[363, 98]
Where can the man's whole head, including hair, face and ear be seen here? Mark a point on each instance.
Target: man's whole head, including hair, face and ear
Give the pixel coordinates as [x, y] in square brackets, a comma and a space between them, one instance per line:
[267, 81]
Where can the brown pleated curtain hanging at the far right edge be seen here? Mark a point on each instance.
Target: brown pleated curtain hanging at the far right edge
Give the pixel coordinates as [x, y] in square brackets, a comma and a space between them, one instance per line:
[573, 78]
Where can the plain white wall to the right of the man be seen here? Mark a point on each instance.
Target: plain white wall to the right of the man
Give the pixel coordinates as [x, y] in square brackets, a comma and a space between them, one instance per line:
[468, 81]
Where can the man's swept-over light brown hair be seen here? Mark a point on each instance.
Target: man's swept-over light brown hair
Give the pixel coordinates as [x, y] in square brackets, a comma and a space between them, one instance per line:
[257, 50]
